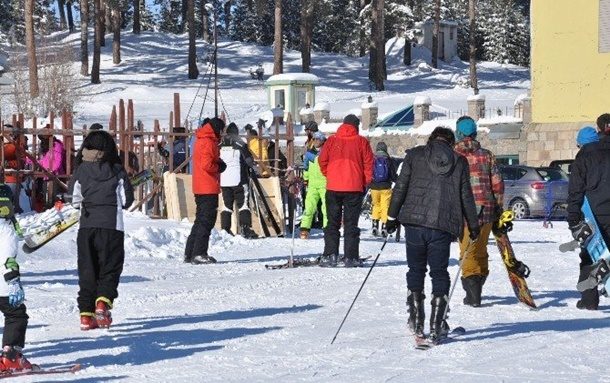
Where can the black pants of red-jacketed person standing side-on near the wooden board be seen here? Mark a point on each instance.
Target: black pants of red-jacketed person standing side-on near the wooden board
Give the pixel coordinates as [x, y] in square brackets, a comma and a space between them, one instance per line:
[205, 219]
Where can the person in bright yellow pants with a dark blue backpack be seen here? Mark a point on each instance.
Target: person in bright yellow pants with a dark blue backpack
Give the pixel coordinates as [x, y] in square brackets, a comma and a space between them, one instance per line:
[384, 174]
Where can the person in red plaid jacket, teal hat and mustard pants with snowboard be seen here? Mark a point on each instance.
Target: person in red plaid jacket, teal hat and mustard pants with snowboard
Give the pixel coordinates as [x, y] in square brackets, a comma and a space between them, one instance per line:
[488, 190]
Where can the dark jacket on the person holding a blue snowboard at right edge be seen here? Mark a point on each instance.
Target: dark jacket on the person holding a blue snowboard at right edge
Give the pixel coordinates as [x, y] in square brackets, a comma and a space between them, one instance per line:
[590, 177]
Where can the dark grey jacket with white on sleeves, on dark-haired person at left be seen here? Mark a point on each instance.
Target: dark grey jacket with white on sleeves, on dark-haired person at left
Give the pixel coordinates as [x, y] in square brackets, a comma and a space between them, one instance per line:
[101, 191]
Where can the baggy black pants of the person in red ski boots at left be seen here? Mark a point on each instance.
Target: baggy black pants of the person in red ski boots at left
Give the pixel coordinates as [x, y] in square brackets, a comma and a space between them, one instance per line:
[101, 253]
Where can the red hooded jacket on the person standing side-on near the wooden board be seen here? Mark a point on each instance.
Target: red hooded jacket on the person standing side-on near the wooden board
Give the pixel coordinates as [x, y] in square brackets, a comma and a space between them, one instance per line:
[206, 172]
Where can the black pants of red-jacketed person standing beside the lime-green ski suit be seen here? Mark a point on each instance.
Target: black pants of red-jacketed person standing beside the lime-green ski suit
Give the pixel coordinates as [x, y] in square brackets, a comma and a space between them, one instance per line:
[346, 205]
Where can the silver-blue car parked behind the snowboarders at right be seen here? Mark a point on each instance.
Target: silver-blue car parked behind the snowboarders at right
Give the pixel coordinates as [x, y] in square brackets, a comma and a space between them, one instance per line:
[534, 192]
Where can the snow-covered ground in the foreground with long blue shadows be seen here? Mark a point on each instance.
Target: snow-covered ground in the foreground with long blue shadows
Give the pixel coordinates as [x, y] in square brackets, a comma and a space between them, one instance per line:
[235, 321]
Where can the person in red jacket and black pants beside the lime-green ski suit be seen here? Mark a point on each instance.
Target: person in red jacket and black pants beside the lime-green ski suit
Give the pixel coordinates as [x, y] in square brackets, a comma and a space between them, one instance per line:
[347, 162]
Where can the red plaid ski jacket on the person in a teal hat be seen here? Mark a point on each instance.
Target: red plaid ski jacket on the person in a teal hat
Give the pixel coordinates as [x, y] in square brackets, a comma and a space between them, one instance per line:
[485, 179]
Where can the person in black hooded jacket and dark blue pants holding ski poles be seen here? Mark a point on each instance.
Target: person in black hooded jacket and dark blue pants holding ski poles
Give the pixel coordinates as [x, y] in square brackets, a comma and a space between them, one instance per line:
[431, 198]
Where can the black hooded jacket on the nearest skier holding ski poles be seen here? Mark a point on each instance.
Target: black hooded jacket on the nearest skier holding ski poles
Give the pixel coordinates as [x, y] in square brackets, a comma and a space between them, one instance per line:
[433, 190]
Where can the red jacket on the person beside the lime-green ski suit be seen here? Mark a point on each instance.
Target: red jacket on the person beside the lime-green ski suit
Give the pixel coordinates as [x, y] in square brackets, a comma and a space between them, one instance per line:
[347, 161]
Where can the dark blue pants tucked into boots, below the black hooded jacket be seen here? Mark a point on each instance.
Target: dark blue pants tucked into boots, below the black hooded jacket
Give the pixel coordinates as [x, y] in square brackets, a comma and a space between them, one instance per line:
[428, 247]
